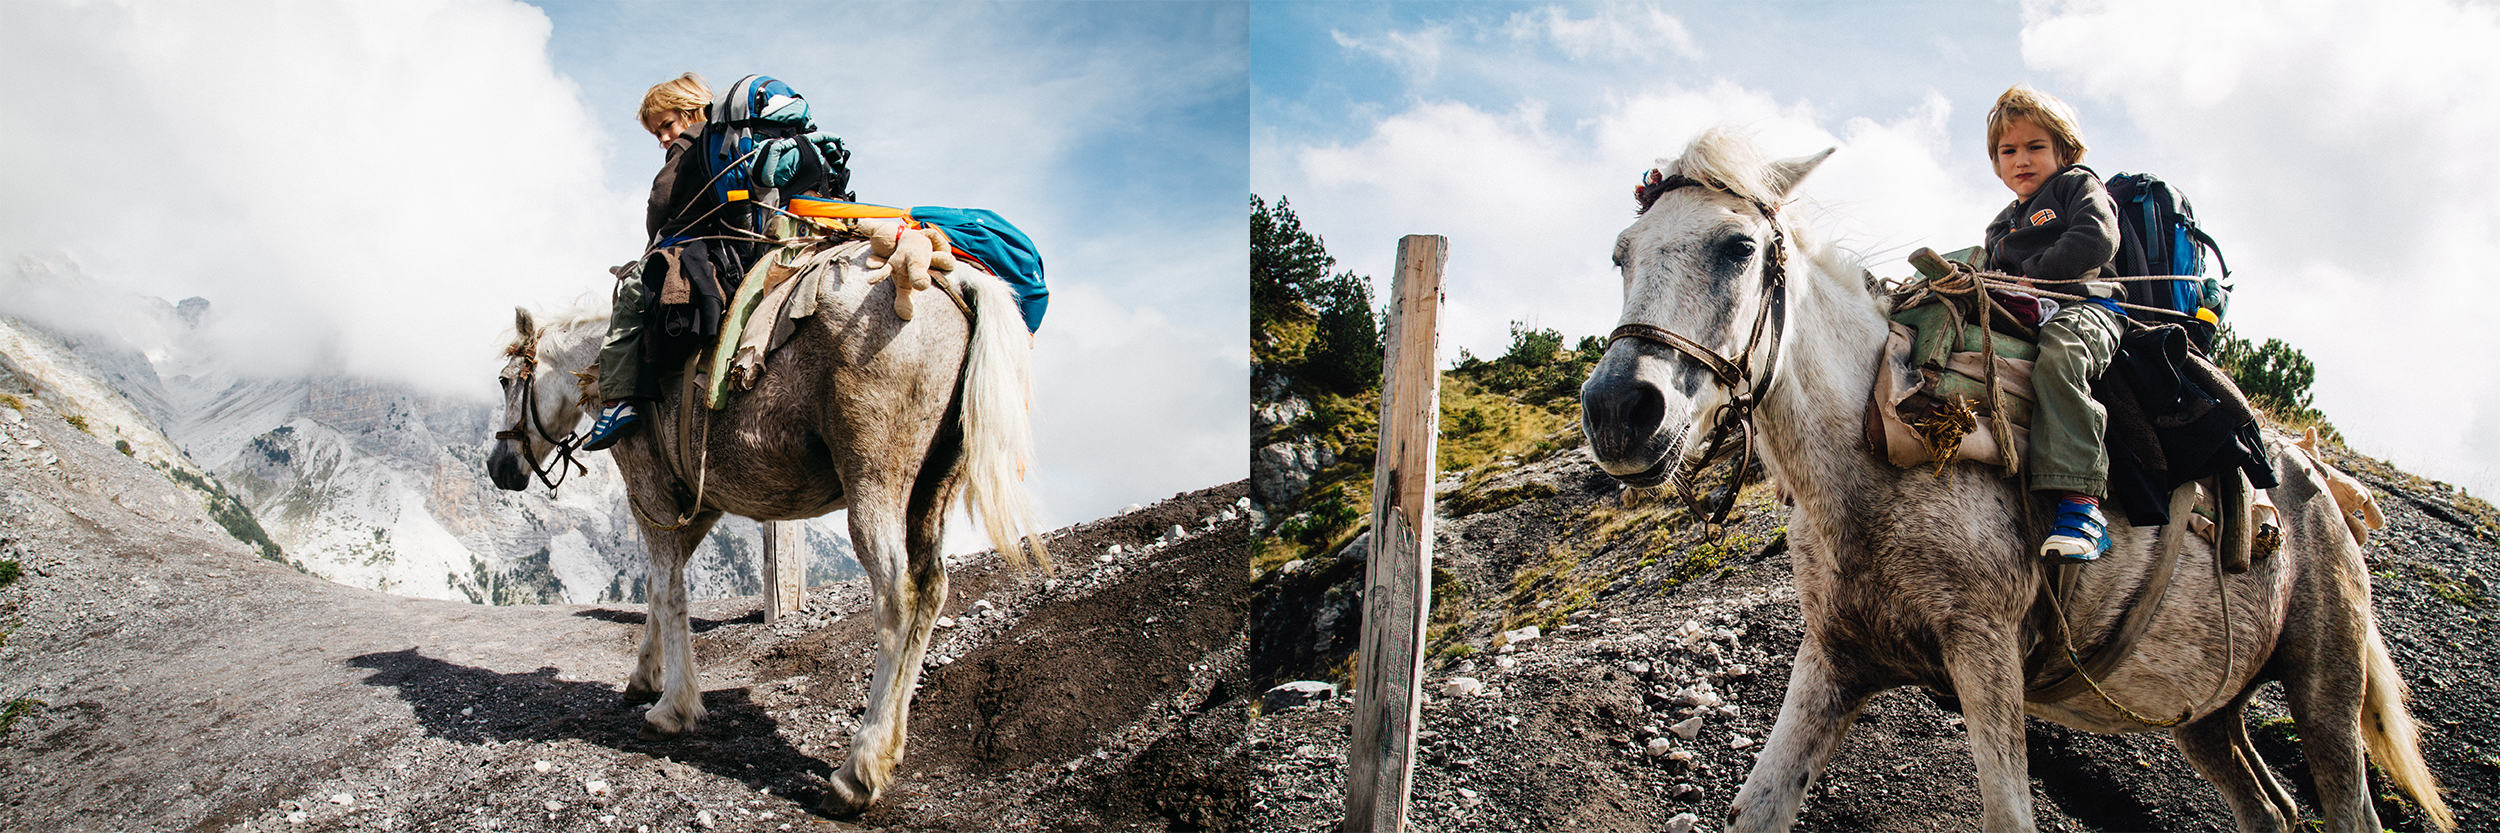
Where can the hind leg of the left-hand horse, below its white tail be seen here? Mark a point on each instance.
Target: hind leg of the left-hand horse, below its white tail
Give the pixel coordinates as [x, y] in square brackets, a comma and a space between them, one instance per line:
[906, 574]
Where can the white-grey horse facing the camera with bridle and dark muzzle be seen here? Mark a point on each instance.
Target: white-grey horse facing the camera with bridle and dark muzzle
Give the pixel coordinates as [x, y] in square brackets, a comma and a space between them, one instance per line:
[1911, 579]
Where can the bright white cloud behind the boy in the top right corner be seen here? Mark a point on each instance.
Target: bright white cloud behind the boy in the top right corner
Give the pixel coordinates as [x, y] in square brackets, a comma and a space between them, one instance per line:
[2344, 159]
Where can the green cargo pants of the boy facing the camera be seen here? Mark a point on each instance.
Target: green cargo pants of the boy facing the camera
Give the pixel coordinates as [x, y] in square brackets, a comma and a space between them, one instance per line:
[2069, 427]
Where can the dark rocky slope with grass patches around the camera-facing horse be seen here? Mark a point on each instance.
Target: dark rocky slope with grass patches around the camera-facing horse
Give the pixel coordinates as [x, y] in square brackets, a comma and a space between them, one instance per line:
[1659, 667]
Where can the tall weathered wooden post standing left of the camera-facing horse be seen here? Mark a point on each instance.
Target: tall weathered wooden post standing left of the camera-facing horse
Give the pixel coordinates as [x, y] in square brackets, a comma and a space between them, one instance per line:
[1399, 577]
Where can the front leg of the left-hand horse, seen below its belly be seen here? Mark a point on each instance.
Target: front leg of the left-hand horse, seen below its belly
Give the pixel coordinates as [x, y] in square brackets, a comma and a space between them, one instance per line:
[666, 664]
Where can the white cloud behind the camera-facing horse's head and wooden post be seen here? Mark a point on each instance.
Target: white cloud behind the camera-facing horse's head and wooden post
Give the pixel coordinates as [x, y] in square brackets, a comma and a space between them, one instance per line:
[1531, 206]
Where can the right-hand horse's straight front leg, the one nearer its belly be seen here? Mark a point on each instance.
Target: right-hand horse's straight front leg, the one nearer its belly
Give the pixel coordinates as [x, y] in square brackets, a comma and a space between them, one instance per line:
[1989, 679]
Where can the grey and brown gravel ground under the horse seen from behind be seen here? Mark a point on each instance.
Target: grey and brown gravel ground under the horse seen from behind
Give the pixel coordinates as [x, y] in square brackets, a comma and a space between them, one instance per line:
[159, 677]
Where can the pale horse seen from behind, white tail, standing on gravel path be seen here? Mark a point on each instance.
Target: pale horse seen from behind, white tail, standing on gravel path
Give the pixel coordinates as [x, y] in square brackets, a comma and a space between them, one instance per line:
[891, 419]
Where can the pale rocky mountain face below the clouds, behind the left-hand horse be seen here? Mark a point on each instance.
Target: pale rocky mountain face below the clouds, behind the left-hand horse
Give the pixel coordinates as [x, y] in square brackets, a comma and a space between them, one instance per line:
[364, 482]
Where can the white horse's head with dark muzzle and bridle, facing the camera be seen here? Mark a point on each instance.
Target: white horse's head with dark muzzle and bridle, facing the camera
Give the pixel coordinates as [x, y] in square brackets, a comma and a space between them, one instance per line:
[1704, 291]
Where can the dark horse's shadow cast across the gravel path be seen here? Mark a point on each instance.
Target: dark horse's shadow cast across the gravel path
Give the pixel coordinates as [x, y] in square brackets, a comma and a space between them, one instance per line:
[474, 707]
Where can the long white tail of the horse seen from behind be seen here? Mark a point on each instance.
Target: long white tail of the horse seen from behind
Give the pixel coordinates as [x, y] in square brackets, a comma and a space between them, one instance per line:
[996, 422]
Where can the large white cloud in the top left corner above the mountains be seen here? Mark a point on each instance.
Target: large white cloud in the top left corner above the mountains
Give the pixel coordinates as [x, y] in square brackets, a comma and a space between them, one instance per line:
[344, 199]
